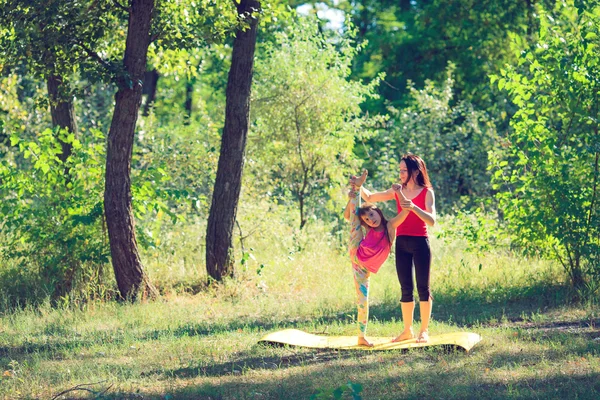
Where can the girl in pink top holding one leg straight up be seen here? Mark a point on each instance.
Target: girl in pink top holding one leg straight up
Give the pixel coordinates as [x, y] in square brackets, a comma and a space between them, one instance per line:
[367, 252]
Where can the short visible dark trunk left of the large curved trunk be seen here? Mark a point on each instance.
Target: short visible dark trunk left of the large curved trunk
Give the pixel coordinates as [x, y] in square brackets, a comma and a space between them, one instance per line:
[62, 111]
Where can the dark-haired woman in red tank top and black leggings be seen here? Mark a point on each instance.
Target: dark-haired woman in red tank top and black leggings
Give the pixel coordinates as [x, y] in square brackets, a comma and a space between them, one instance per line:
[412, 243]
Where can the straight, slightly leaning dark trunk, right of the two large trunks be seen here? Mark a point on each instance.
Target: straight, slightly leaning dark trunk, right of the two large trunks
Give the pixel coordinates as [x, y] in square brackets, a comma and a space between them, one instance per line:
[221, 220]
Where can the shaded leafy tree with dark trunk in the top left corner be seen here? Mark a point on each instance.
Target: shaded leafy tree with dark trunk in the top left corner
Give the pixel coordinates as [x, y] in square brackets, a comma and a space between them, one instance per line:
[45, 40]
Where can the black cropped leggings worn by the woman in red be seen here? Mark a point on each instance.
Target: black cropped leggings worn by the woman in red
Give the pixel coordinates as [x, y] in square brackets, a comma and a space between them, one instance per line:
[415, 249]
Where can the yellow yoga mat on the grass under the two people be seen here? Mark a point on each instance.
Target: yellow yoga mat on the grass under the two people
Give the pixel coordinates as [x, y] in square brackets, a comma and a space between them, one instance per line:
[295, 337]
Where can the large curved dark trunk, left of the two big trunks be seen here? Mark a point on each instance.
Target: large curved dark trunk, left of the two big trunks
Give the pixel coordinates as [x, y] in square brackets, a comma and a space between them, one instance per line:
[129, 271]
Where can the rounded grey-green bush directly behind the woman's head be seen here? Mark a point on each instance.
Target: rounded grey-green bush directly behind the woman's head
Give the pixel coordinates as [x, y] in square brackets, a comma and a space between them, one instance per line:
[452, 138]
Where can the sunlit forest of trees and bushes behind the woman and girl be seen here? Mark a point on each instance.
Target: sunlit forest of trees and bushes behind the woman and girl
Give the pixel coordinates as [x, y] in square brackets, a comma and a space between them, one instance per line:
[136, 163]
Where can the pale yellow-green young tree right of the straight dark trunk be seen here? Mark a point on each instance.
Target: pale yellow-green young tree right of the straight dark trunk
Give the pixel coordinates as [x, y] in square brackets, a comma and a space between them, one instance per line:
[306, 115]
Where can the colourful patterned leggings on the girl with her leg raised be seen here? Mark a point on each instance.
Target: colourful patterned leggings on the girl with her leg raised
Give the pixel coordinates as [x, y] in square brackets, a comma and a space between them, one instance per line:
[361, 274]
